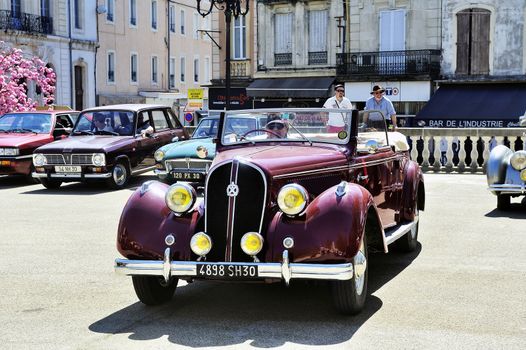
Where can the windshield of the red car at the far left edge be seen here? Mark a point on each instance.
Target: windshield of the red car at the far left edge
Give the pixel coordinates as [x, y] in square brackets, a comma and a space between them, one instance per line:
[39, 123]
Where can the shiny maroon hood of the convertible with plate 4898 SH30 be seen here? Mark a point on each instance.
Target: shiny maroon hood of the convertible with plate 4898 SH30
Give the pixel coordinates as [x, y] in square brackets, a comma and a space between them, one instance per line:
[284, 159]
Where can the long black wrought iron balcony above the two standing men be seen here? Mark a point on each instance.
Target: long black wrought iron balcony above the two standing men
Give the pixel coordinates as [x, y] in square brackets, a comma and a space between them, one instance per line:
[387, 64]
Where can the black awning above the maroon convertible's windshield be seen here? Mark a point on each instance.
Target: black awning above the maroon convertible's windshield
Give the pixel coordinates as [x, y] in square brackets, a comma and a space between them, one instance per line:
[291, 87]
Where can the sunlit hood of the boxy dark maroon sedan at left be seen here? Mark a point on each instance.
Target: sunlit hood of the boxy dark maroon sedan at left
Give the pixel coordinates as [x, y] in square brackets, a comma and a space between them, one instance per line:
[88, 142]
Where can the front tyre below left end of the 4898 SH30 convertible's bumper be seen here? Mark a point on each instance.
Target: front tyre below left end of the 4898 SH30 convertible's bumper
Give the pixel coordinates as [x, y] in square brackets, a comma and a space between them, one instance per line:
[153, 290]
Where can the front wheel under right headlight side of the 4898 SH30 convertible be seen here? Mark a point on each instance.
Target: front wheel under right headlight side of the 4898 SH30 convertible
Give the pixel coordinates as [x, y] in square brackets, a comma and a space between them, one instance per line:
[349, 296]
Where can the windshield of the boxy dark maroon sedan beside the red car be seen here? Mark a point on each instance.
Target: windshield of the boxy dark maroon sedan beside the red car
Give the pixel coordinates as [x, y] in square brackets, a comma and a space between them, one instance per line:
[105, 122]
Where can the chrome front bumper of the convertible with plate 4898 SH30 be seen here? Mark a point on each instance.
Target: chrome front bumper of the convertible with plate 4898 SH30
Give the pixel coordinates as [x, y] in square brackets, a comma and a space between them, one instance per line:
[284, 271]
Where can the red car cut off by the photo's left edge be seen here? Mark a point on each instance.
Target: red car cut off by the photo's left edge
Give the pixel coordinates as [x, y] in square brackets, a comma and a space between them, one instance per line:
[22, 132]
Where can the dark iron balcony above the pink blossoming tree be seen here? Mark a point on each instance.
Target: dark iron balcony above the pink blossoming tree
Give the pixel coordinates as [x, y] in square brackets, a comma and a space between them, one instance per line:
[25, 22]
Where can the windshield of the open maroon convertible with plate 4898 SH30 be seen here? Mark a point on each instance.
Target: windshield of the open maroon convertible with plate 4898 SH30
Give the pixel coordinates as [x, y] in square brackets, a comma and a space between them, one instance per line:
[298, 125]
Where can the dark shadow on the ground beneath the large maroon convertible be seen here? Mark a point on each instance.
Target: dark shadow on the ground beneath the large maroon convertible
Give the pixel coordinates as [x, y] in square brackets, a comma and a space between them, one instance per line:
[204, 314]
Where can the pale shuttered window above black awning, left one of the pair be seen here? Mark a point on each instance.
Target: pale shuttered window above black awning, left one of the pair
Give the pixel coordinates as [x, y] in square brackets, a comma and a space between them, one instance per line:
[283, 39]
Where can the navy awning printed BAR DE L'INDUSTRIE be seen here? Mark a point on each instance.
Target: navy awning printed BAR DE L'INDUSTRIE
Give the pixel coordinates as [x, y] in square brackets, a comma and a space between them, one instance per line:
[482, 105]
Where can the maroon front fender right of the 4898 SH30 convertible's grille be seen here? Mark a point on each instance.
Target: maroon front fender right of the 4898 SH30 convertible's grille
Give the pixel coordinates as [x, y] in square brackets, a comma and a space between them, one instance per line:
[329, 231]
